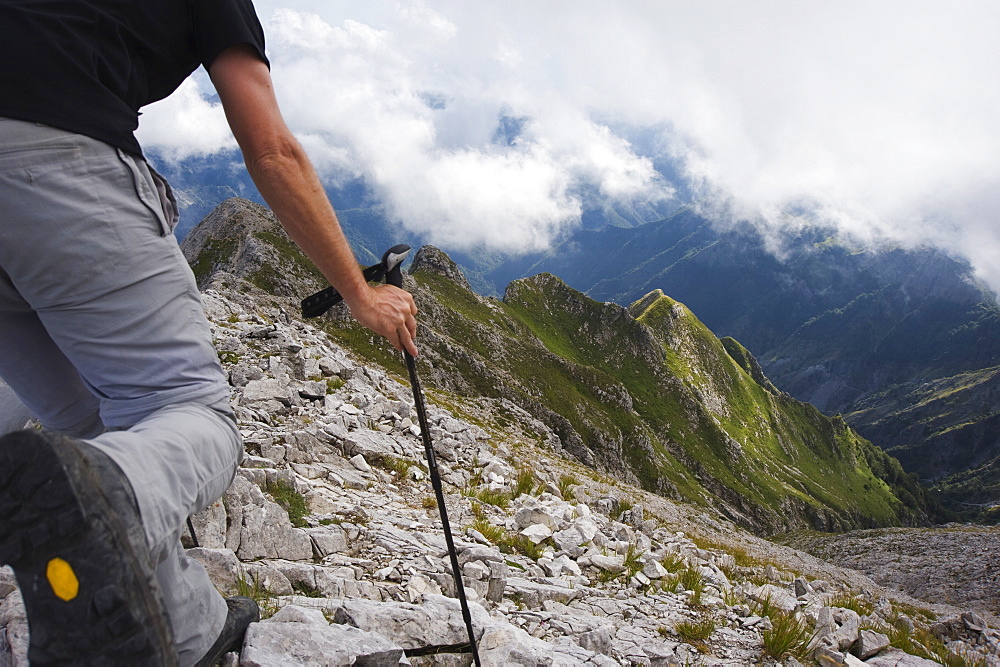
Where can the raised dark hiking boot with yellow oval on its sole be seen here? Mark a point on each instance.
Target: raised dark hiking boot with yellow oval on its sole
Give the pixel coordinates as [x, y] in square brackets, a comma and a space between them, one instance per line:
[70, 528]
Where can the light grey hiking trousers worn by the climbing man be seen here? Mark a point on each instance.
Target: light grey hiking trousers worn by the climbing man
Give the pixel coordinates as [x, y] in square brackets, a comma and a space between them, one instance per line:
[103, 337]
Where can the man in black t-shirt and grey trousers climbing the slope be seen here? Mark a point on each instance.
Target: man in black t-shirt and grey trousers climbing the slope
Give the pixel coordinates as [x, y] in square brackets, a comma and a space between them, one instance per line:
[102, 332]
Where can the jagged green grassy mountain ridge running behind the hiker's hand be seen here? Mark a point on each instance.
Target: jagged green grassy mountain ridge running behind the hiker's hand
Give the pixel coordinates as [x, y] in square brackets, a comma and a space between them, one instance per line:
[646, 393]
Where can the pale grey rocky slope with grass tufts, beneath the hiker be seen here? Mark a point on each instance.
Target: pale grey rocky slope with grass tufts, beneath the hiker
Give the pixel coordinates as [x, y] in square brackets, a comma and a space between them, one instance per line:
[332, 525]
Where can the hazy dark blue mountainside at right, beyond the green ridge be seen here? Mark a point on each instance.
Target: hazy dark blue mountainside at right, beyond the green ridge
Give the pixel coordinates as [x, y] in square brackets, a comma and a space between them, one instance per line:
[871, 334]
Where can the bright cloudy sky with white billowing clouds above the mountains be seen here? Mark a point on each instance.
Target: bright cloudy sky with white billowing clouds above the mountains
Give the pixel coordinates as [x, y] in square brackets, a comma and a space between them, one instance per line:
[489, 124]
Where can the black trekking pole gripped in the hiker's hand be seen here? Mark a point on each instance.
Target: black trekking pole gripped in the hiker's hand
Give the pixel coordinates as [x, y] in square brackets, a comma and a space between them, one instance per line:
[317, 304]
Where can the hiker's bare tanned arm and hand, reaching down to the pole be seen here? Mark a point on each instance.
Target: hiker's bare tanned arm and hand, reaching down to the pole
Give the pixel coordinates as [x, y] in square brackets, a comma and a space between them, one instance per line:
[289, 184]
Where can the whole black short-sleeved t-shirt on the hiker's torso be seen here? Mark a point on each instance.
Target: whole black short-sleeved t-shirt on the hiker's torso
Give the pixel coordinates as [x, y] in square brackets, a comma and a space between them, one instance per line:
[88, 66]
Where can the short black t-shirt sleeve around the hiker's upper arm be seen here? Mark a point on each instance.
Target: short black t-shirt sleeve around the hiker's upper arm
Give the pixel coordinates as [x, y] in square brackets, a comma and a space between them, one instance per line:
[225, 23]
